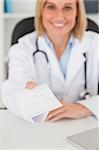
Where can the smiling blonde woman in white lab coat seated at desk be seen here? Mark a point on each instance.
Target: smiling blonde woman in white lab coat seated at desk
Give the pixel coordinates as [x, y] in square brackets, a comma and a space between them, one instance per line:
[60, 33]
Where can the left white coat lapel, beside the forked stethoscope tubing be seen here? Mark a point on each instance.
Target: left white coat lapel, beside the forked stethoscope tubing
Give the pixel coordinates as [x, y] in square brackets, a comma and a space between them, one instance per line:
[55, 68]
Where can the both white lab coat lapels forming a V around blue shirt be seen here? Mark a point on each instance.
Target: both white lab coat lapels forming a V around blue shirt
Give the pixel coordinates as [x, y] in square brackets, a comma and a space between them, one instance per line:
[76, 61]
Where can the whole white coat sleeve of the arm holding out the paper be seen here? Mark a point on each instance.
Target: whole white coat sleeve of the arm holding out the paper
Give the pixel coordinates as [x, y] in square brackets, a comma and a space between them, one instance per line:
[21, 70]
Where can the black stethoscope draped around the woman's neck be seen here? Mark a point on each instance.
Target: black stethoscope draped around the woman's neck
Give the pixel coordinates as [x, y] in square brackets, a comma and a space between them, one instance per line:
[84, 94]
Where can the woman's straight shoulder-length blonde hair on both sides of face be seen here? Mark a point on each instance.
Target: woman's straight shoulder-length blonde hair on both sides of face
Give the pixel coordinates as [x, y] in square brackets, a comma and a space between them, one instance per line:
[80, 25]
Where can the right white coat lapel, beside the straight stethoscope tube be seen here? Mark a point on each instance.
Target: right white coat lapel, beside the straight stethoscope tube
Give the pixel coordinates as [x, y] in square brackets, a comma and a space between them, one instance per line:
[76, 61]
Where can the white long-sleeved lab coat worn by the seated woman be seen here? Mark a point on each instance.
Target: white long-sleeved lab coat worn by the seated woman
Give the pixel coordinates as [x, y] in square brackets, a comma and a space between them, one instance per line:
[23, 69]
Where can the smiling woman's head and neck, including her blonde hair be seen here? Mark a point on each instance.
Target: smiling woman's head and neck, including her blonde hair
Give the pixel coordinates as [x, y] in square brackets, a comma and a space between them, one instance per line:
[59, 19]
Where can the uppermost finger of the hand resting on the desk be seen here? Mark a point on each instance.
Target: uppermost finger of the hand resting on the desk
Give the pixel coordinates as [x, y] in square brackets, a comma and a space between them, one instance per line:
[53, 113]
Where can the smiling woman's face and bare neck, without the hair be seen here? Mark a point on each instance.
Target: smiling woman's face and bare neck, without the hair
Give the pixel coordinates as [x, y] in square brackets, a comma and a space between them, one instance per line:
[58, 20]
